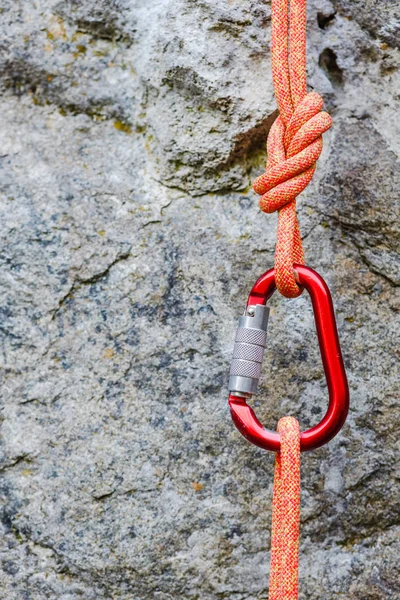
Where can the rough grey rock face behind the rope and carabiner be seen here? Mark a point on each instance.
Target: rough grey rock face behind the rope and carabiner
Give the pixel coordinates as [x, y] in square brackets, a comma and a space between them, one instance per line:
[130, 238]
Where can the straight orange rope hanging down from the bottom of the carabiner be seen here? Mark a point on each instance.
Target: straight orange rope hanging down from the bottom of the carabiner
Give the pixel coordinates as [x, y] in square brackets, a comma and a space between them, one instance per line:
[286, 514]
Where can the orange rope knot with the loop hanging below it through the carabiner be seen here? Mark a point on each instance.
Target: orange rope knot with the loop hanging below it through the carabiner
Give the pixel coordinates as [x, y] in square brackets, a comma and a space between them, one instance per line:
[294, 145]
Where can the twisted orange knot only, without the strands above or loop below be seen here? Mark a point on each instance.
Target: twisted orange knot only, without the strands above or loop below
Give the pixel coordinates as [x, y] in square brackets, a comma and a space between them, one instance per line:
[293, 151]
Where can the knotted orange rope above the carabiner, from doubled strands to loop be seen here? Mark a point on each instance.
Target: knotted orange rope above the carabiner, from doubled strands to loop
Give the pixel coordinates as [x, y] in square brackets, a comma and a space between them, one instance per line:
[295, 140]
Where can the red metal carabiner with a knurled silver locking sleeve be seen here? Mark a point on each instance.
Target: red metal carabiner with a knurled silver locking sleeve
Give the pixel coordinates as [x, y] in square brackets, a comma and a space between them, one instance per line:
[248, 354]
